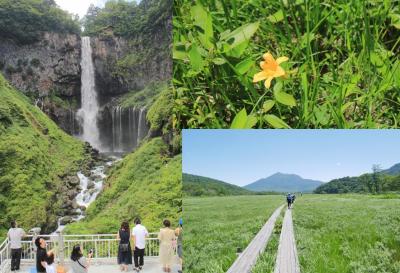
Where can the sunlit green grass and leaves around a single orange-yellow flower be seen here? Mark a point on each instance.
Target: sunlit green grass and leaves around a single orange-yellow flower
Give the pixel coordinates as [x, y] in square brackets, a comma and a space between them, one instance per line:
[339, 64]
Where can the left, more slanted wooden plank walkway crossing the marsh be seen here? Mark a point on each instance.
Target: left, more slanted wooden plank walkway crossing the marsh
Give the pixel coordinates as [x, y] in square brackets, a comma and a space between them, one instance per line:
[248, 258]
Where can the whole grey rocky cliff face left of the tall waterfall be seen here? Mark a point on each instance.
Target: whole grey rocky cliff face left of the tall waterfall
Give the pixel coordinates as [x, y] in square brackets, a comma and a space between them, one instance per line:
[48, 71]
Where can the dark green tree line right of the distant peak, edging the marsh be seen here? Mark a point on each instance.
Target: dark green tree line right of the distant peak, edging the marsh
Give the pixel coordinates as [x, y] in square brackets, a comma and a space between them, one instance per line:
[376, 182]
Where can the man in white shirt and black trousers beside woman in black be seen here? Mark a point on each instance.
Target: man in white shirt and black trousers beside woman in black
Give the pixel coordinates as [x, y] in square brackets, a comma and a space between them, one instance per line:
[139, 234]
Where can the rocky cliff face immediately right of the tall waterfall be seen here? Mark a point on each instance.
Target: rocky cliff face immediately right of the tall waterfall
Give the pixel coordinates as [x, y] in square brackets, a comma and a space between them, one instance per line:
[124, 65]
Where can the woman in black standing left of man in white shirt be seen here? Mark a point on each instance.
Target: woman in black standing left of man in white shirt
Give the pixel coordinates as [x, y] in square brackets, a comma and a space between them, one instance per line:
[124, 248]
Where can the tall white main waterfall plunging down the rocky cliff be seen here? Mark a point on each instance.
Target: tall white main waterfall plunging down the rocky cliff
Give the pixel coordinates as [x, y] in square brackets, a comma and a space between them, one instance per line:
[90, 106]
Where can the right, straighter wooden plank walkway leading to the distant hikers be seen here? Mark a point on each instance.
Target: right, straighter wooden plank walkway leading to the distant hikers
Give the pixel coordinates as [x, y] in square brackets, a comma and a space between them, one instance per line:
[287, 260]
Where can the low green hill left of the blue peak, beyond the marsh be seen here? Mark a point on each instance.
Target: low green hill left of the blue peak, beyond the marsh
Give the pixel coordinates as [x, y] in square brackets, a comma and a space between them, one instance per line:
[194, 185]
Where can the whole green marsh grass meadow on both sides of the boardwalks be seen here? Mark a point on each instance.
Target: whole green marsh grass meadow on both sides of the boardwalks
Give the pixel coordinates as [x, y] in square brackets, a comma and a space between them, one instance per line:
[334, 233]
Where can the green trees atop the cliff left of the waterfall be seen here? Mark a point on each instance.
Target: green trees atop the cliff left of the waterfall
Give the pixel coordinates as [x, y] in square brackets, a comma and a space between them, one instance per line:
[23, 21]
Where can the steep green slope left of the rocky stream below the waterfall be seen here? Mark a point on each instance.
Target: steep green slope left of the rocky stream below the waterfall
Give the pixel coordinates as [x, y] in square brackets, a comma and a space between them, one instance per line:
[34, 156]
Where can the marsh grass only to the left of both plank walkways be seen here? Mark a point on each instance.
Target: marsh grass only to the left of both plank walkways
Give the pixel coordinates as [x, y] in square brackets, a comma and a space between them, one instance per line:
[217, 226]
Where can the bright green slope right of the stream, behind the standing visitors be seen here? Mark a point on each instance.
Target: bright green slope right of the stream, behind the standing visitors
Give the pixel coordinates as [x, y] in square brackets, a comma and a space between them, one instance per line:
[146, 184]
